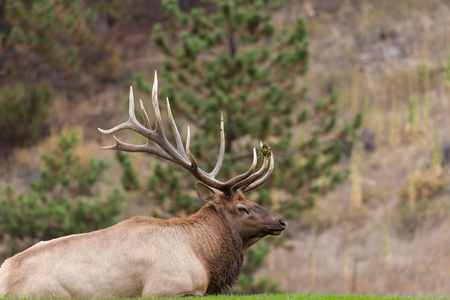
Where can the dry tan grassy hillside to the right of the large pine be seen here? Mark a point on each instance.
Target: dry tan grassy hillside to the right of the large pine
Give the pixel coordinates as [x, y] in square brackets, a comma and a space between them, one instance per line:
[385, 231]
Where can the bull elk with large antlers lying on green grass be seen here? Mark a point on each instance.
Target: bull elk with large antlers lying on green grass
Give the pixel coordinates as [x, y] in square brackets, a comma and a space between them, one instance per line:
[149, 257]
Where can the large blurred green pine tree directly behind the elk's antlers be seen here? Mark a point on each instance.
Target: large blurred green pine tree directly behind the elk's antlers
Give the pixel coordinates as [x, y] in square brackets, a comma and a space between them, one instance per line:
[235, 60]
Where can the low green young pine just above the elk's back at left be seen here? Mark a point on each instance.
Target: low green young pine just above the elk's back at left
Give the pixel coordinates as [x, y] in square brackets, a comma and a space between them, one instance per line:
[63, 200]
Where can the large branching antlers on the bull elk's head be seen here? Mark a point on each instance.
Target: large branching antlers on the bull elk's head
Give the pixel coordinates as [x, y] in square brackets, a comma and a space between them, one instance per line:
[158, 144]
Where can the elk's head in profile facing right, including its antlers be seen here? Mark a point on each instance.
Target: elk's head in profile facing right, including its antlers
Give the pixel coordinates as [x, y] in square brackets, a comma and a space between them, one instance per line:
[251, 220]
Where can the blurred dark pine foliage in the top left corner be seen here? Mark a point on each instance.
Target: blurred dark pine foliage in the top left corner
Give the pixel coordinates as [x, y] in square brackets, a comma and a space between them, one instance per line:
[45, 34]
